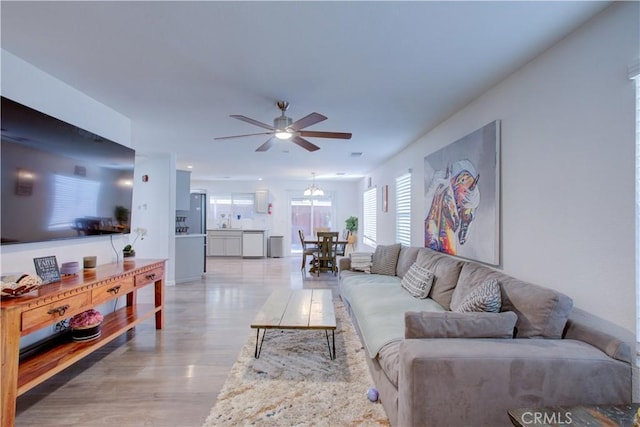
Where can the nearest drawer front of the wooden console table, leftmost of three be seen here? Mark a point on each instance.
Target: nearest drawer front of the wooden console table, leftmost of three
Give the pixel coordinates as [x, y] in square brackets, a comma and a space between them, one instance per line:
[54, 312]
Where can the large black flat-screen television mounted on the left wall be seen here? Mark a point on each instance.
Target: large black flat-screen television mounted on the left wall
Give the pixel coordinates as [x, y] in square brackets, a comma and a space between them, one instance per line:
[60, 181]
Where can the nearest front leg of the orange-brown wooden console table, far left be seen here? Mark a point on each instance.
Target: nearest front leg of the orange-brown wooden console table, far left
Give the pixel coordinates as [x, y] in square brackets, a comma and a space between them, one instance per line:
[9, 360]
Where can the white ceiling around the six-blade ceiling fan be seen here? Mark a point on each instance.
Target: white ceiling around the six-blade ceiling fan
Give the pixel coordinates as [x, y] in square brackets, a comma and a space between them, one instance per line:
[386, 71]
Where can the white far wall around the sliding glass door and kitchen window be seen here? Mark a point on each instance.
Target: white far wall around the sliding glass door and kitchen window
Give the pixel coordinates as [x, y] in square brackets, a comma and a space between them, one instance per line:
[345, 196]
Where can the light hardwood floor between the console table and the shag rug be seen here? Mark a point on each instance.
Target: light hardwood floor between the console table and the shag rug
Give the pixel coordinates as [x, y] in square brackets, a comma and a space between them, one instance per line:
[169, 377]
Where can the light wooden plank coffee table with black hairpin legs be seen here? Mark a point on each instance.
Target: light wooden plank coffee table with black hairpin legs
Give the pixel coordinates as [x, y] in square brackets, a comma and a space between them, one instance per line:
[297, 309]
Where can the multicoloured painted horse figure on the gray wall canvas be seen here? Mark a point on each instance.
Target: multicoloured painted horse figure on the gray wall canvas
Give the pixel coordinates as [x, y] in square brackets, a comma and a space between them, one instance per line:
[454, 199]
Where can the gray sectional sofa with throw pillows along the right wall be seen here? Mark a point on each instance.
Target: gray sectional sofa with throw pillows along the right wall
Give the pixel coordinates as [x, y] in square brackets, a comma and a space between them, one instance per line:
[436, 367]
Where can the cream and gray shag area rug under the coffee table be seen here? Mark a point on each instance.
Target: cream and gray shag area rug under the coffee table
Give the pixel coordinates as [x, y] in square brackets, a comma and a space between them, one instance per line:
[295, 383]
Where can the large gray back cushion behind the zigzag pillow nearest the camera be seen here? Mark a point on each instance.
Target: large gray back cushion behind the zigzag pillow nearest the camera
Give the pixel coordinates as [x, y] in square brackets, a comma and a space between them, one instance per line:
[542, 312]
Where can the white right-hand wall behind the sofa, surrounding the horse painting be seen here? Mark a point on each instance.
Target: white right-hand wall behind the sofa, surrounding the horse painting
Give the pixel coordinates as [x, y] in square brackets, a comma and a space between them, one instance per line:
[568, 149]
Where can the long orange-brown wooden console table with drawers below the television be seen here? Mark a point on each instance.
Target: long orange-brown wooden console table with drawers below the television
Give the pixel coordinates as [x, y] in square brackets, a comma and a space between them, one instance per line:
[57, 301]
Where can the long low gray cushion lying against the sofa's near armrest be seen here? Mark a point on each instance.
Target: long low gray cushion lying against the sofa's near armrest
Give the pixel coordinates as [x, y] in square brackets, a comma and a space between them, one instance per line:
[459, 325]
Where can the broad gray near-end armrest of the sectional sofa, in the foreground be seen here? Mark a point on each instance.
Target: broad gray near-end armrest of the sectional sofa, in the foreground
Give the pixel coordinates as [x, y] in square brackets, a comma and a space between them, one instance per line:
[475, 381]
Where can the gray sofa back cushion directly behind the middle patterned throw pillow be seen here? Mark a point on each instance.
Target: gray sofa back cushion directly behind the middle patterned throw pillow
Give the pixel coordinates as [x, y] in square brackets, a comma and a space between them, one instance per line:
[446, 270]
